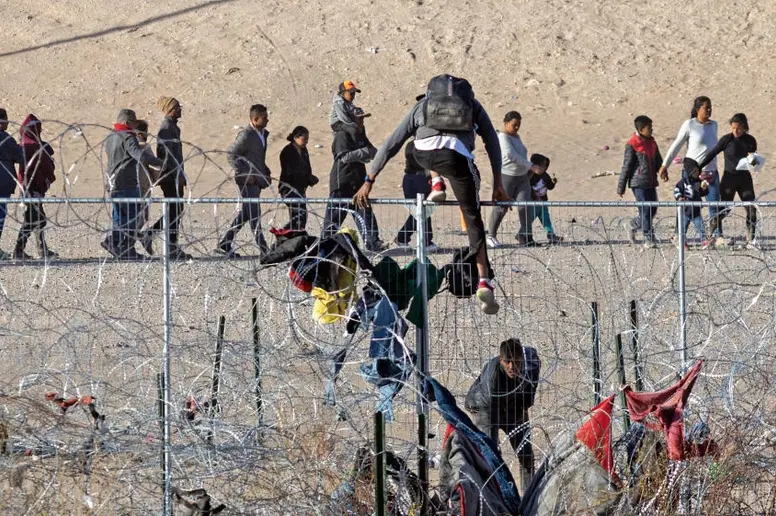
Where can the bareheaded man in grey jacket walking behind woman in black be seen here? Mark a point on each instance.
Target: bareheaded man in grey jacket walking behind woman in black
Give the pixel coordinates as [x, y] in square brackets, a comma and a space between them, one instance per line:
[247, 157]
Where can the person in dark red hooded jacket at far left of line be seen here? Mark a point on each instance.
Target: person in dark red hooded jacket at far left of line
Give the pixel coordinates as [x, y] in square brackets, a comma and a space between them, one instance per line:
[36, 174]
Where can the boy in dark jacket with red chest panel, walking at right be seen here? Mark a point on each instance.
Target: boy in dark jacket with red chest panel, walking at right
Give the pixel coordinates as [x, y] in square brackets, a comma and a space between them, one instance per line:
[639, 172]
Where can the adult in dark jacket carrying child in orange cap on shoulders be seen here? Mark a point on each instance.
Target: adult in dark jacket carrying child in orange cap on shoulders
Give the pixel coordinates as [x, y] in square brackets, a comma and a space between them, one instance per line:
[352, 150]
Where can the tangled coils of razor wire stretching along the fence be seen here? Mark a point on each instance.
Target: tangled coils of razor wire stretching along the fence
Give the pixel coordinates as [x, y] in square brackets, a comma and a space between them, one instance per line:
[84, 335]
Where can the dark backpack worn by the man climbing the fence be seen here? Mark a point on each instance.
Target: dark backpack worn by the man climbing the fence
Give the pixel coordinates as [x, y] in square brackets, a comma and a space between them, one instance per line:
[449, 104]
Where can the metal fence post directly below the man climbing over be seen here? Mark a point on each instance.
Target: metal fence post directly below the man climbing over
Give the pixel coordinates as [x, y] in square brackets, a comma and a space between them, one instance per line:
[421, 351]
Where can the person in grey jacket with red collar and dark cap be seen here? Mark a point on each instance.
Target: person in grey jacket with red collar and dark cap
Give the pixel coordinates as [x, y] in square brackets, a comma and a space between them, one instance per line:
[125, 158]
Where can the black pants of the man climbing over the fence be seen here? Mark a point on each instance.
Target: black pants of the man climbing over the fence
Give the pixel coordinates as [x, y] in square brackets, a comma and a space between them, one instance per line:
[464, 179]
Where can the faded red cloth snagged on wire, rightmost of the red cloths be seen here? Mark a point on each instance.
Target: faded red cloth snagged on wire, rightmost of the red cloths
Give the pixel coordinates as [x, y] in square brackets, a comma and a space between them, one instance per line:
[667, 406]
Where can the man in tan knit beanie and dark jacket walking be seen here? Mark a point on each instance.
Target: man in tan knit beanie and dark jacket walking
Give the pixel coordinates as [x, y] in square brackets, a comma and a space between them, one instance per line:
[172, 180]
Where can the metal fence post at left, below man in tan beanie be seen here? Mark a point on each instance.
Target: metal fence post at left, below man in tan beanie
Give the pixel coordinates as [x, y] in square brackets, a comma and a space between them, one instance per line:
[167, 505]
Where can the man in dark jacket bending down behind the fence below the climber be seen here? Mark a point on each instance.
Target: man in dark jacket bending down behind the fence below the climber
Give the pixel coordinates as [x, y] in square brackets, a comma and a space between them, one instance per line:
[500, 397]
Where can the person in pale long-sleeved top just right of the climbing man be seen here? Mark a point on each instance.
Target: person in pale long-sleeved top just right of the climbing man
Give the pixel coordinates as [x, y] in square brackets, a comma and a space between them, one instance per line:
[516, 171]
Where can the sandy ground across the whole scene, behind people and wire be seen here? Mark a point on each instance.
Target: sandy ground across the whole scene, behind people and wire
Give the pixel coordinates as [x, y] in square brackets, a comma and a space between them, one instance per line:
[578, 72]
